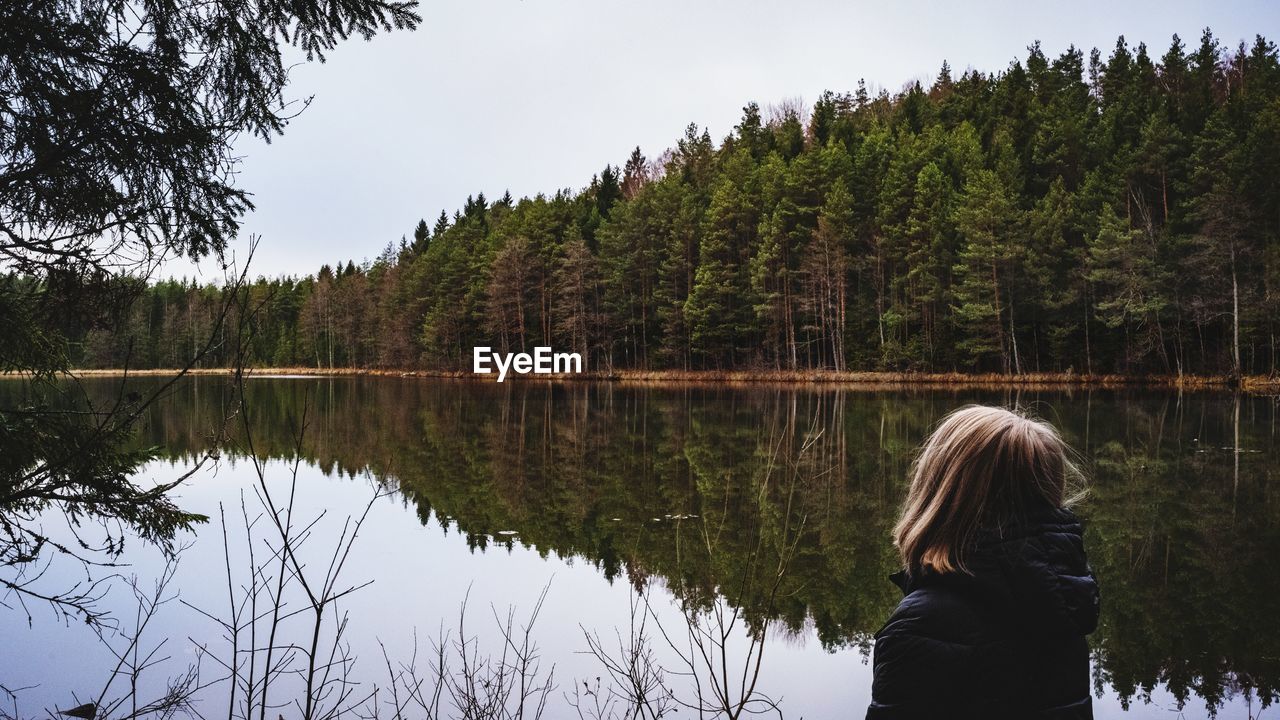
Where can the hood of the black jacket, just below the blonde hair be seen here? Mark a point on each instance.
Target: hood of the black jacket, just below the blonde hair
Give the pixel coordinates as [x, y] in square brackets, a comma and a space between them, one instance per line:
[1035, 569]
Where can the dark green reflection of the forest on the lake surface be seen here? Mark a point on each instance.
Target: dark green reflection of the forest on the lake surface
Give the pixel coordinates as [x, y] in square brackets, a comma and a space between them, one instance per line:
[696, 487]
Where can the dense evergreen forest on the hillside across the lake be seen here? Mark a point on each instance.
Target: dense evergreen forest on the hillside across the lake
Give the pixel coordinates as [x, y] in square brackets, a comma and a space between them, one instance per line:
[1085, 213]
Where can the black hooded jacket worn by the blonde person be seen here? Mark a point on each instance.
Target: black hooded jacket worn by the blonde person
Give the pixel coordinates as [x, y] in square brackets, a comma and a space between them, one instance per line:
[1007, 642]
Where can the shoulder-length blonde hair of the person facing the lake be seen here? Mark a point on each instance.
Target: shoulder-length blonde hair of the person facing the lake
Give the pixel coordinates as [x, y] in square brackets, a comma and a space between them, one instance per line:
[981, 468]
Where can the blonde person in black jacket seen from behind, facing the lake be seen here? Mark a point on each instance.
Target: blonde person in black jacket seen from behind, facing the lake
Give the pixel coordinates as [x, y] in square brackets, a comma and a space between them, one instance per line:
[999, 596]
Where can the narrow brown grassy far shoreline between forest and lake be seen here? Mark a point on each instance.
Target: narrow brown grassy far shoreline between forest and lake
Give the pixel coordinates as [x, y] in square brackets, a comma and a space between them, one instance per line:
[868, 379]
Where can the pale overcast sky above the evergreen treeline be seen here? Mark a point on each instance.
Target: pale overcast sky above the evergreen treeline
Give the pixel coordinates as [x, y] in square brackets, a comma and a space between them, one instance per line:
[536, 95]
